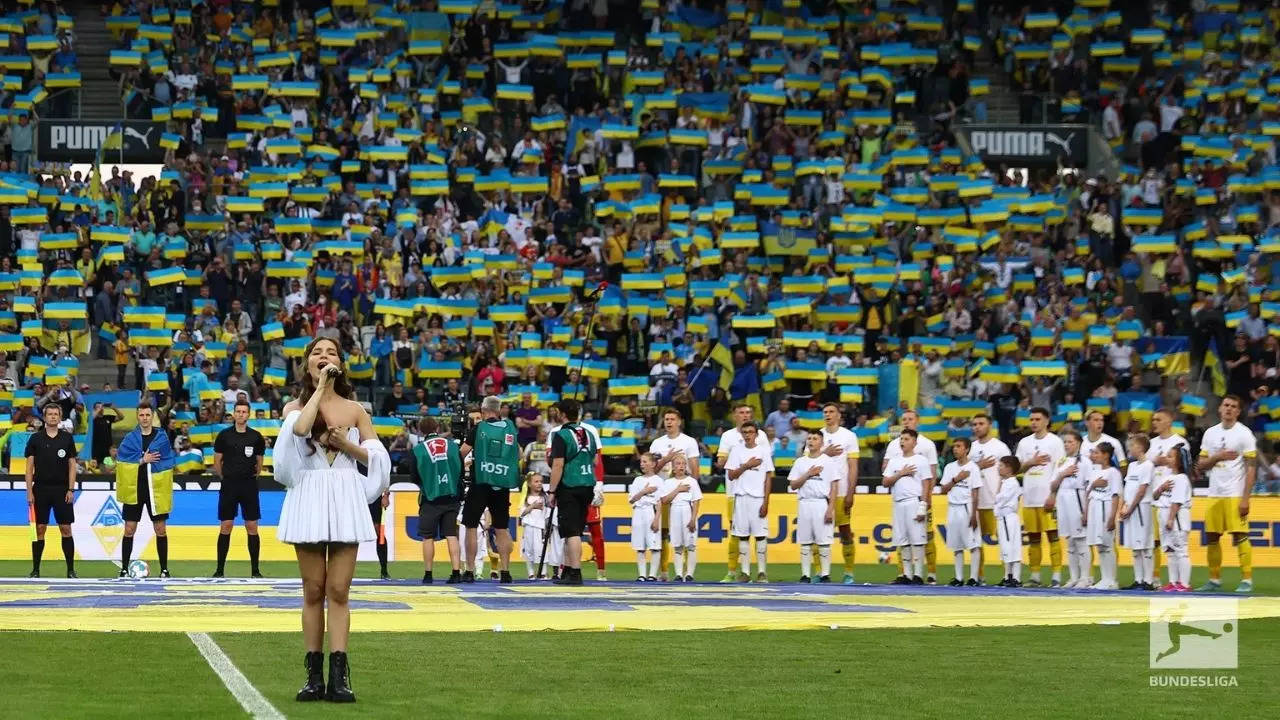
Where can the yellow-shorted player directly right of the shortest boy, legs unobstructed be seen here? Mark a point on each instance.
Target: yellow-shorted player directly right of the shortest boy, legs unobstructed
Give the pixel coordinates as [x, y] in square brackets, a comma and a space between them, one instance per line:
[1040, 454]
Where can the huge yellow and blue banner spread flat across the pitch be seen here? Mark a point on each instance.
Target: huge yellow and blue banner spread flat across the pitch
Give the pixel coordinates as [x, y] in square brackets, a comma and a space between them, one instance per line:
[209, 607]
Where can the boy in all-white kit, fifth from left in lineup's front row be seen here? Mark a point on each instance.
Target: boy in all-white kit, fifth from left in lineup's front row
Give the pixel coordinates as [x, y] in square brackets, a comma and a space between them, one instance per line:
[912, 486]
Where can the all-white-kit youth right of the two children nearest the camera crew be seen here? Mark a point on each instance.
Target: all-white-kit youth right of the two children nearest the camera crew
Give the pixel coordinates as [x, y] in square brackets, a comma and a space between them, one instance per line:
[751, 467]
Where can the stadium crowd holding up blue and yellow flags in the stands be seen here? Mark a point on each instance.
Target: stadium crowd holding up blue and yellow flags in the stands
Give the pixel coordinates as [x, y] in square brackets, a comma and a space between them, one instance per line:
[774, 193]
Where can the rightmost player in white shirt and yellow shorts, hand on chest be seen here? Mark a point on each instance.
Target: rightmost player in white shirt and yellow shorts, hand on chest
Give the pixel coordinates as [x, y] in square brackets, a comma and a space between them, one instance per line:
[1229, 454]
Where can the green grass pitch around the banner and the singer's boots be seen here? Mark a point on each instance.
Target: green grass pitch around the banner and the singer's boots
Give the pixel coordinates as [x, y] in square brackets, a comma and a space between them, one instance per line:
[1044, 672]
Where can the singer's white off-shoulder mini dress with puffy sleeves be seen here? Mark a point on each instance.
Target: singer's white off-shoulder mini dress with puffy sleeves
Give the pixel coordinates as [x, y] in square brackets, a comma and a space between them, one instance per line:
[327, 503]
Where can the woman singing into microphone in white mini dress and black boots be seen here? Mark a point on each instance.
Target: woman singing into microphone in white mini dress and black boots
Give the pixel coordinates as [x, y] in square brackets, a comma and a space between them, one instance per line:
[326, 513]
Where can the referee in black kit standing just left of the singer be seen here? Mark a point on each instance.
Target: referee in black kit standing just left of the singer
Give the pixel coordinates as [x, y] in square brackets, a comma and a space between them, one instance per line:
[239, 453]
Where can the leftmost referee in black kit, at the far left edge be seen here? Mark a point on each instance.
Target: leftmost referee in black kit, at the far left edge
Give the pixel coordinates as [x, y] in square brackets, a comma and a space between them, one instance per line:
[51, 486]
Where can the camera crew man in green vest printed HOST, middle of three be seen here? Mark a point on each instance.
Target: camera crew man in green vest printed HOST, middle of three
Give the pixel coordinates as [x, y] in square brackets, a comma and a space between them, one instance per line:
[496, 468]
